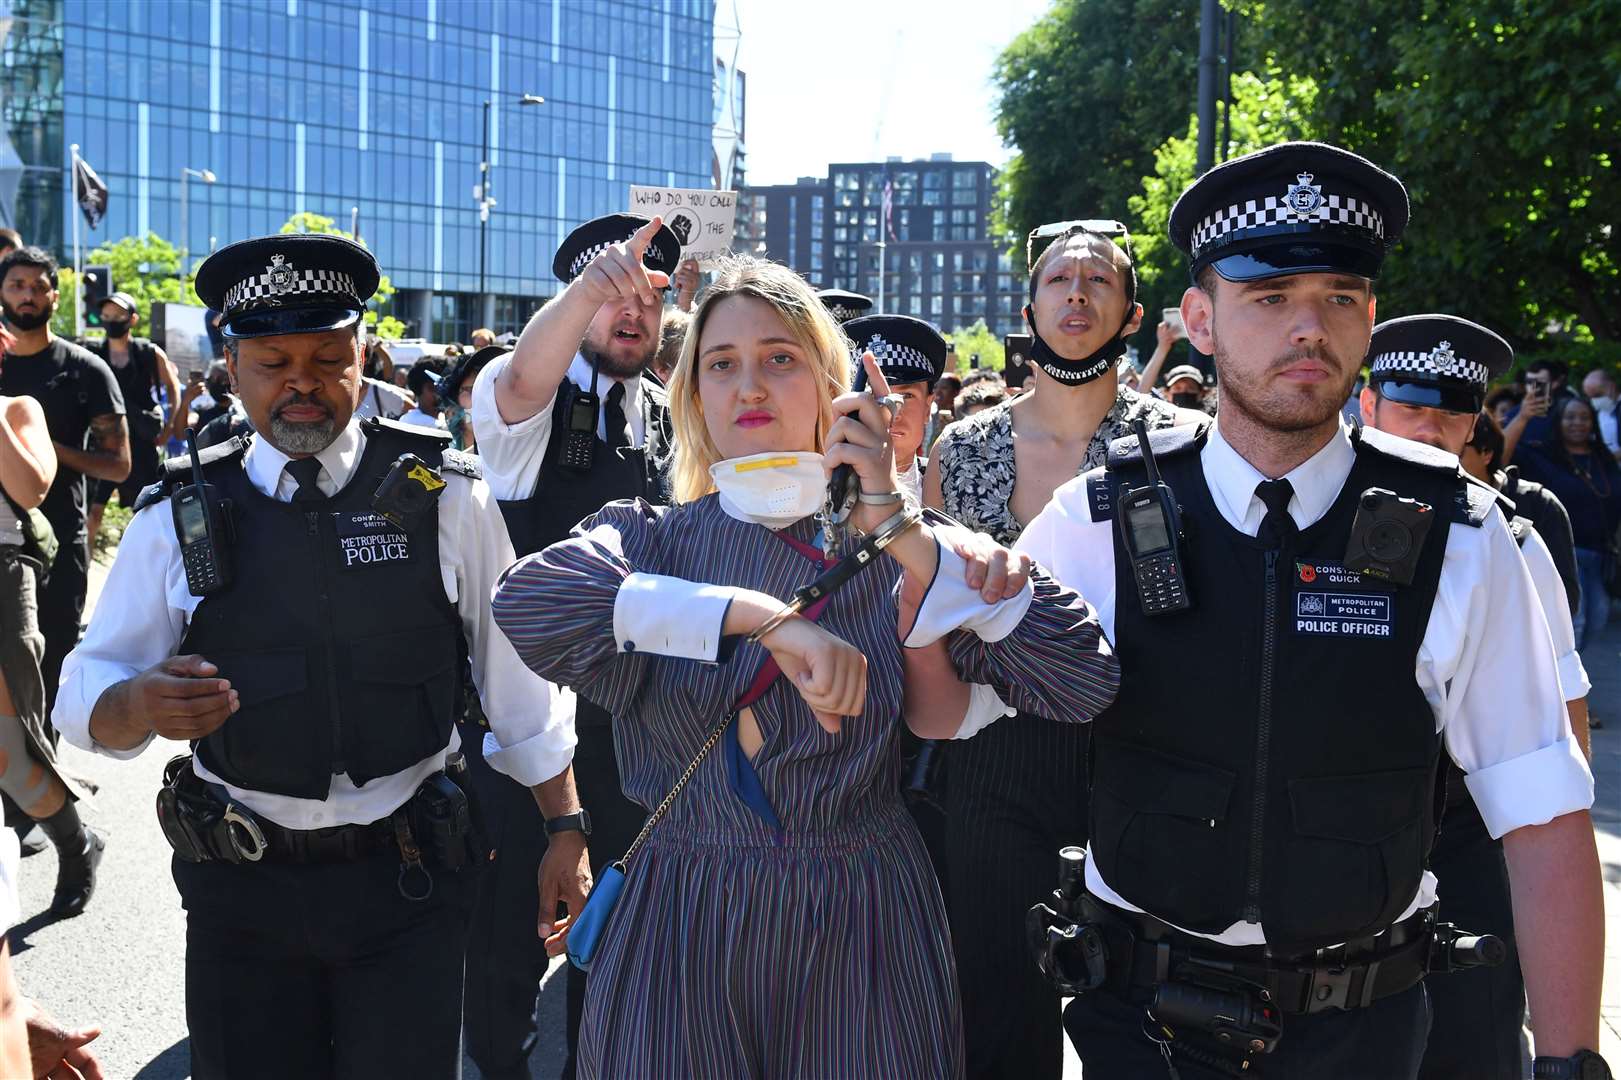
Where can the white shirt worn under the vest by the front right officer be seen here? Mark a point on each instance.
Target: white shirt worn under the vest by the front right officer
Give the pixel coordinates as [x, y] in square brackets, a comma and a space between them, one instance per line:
[1487, 664]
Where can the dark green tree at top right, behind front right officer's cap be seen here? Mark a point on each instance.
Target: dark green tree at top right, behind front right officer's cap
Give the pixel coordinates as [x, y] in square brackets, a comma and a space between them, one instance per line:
[1503, 118]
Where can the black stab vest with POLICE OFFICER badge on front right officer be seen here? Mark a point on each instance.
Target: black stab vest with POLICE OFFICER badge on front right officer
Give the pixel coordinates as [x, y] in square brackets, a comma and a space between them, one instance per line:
[1270, 756]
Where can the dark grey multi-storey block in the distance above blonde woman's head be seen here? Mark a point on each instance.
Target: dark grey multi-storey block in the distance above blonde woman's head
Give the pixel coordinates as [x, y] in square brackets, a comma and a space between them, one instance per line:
[941, 260]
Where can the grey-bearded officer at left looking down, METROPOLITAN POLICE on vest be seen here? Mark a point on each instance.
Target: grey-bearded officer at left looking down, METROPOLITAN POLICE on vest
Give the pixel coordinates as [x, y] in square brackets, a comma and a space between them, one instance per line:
[302, 627]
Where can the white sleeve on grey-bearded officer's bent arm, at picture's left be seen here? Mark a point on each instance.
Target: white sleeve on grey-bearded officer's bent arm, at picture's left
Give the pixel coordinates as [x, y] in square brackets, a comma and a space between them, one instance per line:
[139, 622]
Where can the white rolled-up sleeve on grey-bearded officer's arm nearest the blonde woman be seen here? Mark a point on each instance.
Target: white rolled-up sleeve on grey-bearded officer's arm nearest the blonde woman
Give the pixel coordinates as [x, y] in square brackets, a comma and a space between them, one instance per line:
[531, 721]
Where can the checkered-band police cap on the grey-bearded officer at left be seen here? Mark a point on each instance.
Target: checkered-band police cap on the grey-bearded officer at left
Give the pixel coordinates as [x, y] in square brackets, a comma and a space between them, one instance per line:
[293, 283]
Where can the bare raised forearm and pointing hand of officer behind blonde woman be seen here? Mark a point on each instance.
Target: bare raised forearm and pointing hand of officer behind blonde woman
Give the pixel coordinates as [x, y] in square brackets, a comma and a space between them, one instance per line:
[541, 361]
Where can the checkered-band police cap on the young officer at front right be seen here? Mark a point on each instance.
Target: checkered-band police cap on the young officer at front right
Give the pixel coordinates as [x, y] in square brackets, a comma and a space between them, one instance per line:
[1294, 208]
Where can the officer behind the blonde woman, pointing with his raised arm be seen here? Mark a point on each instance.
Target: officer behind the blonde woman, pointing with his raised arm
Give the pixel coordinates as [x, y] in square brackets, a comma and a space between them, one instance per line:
[567, 424]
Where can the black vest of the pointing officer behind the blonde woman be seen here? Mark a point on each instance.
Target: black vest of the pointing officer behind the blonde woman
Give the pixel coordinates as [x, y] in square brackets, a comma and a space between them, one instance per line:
[565, 497]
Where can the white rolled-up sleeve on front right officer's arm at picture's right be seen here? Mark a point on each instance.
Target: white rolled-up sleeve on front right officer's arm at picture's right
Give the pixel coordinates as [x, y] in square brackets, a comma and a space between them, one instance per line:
[1489, 666]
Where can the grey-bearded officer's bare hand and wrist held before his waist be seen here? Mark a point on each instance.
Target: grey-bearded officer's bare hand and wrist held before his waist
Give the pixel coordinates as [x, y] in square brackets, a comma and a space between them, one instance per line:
[179, 700]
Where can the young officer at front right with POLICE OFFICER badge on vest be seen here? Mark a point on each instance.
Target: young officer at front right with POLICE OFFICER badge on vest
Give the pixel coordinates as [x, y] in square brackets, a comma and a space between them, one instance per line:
[1306, 619]
